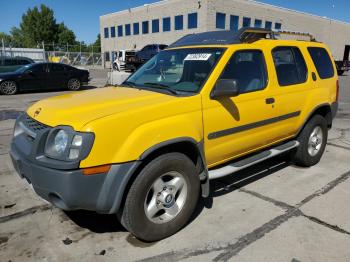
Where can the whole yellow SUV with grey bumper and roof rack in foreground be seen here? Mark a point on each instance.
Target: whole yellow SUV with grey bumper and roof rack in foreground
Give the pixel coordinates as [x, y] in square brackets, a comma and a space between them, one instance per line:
[208, 106]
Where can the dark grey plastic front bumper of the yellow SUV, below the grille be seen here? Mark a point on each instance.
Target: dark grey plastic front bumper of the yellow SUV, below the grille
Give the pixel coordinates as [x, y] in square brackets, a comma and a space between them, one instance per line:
[71, 190]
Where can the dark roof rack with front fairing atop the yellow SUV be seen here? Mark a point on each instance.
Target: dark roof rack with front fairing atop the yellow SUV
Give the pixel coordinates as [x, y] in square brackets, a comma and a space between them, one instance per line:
[244, 35]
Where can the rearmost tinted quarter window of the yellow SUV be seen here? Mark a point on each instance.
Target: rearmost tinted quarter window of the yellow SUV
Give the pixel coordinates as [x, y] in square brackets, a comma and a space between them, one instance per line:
[322, 61]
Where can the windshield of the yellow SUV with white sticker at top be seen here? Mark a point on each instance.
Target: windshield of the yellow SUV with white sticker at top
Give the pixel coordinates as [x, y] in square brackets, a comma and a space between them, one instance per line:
[179, 70]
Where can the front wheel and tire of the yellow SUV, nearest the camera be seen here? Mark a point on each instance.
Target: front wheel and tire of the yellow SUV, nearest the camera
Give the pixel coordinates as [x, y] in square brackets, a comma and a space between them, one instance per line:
[172, 169]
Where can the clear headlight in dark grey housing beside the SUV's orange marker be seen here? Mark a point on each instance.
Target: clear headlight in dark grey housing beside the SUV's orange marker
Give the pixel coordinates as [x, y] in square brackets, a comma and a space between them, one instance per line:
[63, 143]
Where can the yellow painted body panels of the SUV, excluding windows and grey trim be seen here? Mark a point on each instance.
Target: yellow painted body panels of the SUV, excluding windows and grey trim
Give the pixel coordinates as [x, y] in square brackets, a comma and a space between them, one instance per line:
[128, 121]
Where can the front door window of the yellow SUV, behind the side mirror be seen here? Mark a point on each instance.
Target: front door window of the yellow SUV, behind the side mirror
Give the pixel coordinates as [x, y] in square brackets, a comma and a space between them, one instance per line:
[248, 69]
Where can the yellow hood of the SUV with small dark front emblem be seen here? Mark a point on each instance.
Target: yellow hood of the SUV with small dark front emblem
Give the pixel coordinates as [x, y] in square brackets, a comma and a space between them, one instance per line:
[78, 109]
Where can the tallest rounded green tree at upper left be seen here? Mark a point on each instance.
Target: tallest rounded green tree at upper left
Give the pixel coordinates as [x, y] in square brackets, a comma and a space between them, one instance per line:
[38, 25]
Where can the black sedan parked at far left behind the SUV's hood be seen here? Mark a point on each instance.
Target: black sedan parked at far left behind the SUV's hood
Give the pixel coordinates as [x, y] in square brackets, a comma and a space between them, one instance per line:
[43, 76]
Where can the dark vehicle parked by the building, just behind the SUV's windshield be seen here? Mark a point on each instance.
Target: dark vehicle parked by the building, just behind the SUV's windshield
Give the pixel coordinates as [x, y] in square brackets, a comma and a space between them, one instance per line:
[142, 56]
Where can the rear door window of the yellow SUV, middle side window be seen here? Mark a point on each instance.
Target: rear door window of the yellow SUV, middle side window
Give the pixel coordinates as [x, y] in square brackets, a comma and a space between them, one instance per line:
[290, 66]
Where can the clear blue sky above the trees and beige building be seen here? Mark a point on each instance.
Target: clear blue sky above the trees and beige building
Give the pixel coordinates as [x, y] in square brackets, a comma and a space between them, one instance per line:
[82, 16]
